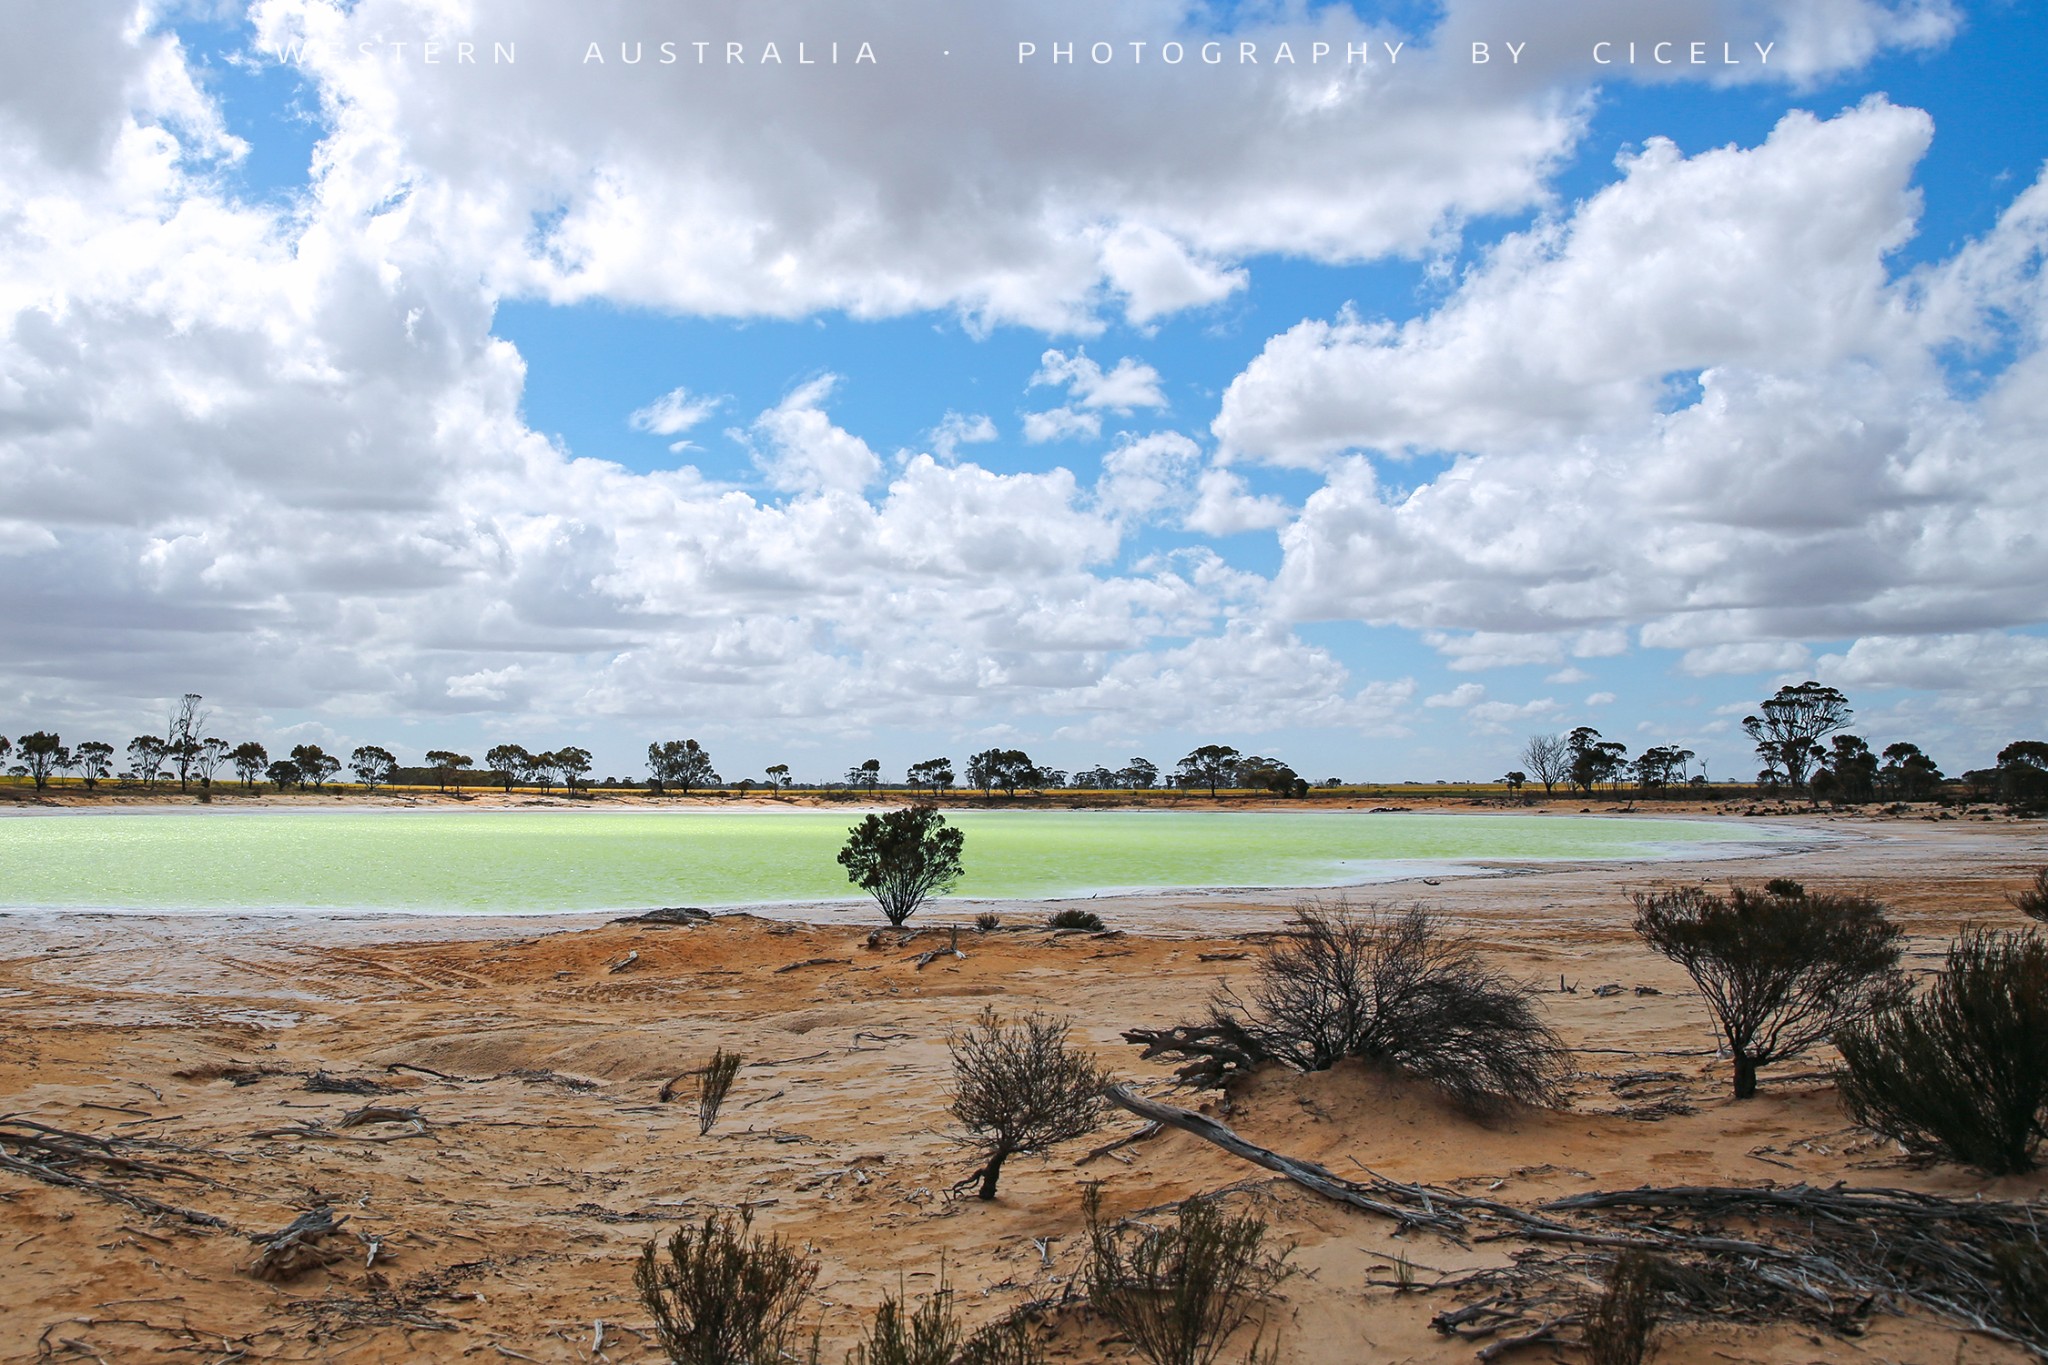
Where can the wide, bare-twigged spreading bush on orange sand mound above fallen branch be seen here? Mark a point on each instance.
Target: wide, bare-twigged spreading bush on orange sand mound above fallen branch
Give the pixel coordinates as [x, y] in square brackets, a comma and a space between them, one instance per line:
[1390, 987]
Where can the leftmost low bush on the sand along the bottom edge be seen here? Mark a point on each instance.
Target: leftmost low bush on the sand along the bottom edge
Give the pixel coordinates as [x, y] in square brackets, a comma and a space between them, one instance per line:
[724, 1296]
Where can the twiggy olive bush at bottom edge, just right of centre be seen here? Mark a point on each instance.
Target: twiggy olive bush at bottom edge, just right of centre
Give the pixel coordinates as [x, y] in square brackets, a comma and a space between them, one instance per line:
[1181, 1292]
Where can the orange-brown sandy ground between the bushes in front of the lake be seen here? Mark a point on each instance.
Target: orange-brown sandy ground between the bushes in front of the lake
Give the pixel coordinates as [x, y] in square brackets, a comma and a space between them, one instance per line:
[544, 1157]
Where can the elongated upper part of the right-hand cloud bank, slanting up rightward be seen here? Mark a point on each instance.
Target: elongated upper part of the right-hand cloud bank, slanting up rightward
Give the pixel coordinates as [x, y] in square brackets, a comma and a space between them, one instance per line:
[1574, 328]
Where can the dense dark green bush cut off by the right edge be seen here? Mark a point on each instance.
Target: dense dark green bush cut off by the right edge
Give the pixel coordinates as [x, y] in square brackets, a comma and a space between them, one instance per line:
[1963, 1069]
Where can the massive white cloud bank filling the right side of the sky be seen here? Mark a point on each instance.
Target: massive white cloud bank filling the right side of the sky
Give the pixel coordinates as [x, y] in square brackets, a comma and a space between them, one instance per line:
[1826, 482]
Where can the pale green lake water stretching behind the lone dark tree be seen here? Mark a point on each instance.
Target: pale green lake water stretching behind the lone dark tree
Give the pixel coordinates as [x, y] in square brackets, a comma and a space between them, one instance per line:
[574, 861]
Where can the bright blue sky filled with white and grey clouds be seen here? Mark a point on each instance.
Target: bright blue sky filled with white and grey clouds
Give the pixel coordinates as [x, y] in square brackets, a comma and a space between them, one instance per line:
[1277, 376]
